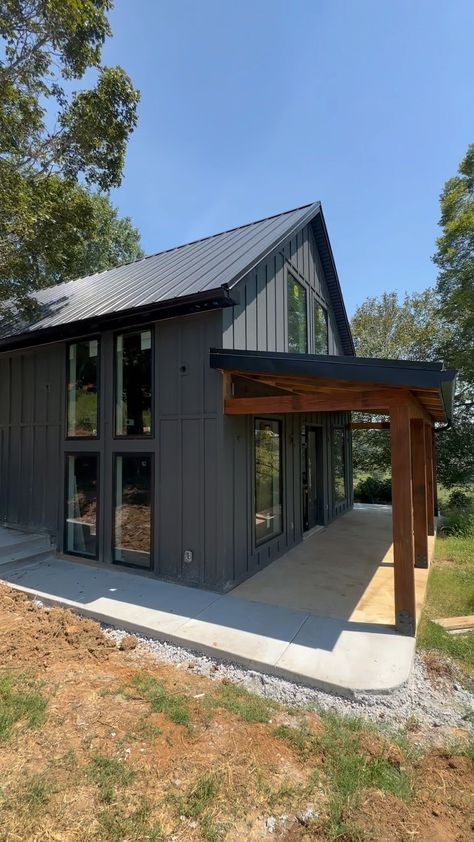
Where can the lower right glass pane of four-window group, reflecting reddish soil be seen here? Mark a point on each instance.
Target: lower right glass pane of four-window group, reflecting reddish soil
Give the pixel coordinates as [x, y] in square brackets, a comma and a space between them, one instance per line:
[132, 543]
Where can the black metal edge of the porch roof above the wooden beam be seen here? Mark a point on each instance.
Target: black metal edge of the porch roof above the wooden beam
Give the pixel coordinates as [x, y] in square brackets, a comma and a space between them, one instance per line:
[430, 376]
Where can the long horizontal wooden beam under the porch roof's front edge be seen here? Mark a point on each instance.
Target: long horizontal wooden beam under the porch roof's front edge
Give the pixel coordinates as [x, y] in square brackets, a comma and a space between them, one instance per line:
[376, 401]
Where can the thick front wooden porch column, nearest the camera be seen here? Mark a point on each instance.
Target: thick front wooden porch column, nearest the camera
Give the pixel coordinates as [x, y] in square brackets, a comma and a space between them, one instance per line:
[402, 517]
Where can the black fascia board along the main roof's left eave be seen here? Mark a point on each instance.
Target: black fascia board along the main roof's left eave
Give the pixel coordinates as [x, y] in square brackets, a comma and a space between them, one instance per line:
[183, 306]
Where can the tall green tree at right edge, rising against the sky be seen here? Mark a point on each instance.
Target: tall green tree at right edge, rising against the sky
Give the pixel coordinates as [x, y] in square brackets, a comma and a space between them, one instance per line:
[455, 260]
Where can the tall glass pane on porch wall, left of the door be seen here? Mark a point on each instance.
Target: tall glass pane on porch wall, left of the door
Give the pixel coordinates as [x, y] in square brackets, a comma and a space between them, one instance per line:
[268, 494]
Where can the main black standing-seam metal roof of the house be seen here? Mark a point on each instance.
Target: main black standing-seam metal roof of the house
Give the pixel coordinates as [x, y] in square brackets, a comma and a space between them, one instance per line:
[187, 274]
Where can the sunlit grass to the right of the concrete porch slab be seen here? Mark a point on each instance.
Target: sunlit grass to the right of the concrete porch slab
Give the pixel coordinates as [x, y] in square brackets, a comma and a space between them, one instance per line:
[450, 593]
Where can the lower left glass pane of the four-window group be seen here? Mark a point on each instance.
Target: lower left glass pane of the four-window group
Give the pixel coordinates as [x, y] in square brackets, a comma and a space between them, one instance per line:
[81, 505]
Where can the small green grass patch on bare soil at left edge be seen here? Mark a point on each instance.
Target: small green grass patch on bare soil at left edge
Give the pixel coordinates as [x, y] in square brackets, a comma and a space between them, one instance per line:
[20, 702]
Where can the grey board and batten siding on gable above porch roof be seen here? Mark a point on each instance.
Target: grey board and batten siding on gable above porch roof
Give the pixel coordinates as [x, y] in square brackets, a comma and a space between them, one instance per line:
[258, 322]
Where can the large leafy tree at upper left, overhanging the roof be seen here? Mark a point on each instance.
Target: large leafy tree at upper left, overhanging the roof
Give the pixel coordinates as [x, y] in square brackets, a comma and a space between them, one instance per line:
[58, 144]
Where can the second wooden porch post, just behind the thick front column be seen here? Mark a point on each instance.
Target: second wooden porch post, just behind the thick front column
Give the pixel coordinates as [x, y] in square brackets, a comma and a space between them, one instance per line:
[420, 501]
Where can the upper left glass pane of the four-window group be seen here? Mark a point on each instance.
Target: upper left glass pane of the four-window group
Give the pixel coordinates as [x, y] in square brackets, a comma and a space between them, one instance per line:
[83, 371]
